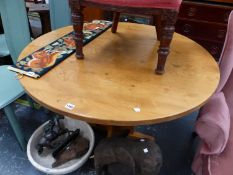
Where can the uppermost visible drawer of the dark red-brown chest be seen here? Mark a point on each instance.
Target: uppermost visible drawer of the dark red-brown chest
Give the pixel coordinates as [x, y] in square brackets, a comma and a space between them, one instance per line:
[205, 12]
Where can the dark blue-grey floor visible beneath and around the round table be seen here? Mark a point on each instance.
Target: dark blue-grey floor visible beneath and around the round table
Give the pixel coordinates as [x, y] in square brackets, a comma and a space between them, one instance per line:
[174, 139]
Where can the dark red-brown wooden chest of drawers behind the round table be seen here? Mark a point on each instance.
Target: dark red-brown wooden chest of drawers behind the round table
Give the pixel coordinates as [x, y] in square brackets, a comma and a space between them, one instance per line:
[205, 22]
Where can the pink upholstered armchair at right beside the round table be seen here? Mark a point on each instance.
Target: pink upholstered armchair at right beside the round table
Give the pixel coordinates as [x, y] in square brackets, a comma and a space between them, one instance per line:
[214, 125]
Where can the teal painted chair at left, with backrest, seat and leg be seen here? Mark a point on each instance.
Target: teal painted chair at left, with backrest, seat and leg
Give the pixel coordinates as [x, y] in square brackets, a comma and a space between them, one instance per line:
[17, 35]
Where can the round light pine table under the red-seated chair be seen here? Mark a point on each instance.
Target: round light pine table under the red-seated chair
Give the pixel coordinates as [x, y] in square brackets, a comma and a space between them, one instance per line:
[115, 84]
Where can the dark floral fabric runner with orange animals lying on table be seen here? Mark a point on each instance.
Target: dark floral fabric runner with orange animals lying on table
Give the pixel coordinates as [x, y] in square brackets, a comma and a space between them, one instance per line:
[44, 59]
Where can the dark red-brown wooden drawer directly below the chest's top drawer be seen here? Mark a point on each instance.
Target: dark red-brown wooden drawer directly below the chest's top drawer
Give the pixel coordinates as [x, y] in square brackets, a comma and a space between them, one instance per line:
[208, 31]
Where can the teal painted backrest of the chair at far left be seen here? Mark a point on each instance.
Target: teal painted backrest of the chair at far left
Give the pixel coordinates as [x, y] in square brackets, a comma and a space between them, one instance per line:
[15, 24]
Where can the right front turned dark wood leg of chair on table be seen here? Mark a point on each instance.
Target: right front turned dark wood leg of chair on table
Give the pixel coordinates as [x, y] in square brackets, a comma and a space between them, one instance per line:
[168, 20]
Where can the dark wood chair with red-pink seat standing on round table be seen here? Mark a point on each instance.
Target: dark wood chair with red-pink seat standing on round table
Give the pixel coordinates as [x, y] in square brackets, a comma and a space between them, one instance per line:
[164, 11]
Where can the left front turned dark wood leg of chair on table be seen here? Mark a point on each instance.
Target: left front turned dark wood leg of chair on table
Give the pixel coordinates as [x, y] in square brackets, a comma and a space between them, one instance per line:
[77, 20]
